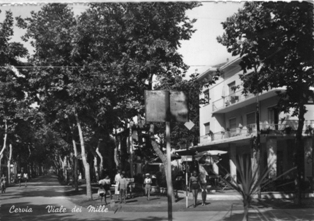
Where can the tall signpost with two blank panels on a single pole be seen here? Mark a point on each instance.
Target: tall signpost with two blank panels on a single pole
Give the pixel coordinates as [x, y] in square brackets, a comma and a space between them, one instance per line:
[160, 106]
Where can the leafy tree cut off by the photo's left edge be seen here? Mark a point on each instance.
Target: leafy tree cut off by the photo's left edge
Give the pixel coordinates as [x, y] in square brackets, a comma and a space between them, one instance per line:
[11, 90]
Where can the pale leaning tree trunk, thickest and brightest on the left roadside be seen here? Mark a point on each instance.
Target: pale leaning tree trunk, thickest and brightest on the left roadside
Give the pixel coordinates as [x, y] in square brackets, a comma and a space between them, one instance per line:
[84, 159]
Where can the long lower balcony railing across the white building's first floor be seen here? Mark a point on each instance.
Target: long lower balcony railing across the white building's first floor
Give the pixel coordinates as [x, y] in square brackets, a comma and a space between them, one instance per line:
[285, 128]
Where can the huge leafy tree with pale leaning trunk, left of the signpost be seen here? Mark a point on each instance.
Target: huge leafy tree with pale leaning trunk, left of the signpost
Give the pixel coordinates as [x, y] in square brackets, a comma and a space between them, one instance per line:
[93, 69]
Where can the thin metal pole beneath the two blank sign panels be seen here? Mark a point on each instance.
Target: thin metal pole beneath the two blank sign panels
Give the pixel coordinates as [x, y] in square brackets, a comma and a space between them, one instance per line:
[169, 183]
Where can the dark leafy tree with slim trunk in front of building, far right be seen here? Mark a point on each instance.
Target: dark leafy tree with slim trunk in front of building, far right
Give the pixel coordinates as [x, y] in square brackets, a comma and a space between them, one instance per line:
[276, 41]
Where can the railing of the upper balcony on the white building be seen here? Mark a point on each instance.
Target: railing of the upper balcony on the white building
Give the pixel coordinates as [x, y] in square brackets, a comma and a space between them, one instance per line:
[233, 98]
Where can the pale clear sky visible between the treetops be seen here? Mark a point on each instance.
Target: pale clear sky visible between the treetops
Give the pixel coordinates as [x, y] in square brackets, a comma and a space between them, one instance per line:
[200, 52]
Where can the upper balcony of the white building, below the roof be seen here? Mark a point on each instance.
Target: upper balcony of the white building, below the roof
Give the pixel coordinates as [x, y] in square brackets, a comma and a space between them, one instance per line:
[238, 99]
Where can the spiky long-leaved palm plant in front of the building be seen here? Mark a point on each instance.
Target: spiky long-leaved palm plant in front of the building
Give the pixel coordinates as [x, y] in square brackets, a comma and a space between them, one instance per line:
[250, 181]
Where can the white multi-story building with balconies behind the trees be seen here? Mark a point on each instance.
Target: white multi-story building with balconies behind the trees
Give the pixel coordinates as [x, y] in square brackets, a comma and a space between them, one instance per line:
[228, 122]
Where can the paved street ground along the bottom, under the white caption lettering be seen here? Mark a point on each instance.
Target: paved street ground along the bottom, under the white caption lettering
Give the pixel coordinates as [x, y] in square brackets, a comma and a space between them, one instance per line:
[44, 199]
